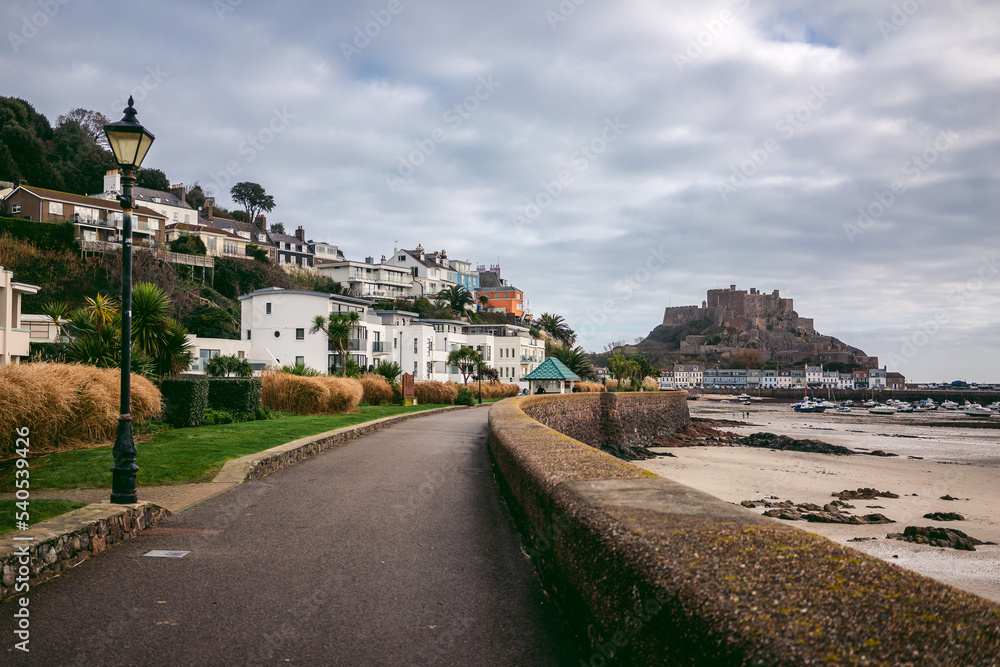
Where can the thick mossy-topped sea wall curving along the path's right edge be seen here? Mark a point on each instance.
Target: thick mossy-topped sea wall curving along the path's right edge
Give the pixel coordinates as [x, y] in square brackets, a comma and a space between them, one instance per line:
[652, 572]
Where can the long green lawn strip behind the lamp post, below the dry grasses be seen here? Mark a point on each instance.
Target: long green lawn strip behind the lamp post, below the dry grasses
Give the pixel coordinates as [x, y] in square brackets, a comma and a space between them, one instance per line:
[188, 454]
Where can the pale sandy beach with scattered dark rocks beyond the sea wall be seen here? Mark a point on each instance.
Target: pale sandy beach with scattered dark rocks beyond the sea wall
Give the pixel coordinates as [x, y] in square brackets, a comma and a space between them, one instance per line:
[955, 461]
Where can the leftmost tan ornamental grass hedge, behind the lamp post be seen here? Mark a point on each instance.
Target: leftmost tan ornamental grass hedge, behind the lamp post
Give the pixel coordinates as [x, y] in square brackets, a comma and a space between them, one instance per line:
[66, 406]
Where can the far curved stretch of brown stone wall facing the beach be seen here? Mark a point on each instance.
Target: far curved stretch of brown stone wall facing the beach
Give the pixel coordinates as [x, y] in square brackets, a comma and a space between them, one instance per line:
[618, 423]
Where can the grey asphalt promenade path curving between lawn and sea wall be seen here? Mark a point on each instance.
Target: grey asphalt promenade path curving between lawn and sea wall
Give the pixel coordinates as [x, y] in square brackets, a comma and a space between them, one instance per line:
[393, 549]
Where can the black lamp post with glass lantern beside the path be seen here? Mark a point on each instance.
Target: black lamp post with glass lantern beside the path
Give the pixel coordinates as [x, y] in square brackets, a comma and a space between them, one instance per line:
[129, 142]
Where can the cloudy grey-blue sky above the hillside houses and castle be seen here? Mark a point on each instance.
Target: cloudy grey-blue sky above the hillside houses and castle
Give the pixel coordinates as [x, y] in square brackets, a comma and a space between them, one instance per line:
[613, 157]
